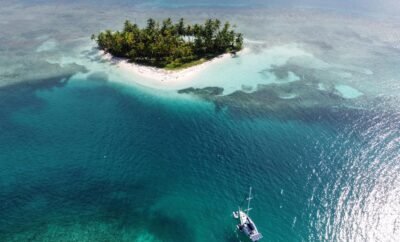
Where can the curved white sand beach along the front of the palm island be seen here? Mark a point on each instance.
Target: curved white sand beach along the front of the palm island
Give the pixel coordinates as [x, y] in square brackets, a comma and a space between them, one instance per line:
[160, 78]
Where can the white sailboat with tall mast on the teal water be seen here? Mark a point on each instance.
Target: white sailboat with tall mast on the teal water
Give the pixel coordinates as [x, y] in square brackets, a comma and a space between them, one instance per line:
[246, 225]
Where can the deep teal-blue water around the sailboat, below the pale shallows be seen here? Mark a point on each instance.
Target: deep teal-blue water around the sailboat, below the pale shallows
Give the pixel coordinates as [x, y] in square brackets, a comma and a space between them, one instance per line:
[99, 162]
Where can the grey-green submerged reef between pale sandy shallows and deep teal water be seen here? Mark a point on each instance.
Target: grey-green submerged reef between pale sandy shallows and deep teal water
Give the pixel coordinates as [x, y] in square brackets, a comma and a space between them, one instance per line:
[294, 100]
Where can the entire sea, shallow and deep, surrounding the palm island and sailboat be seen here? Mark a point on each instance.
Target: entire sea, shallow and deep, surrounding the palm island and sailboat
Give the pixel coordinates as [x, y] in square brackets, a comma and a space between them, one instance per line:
[309, 117]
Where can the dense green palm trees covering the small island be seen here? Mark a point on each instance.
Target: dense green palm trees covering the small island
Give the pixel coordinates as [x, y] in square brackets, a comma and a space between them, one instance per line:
[170, 45]
